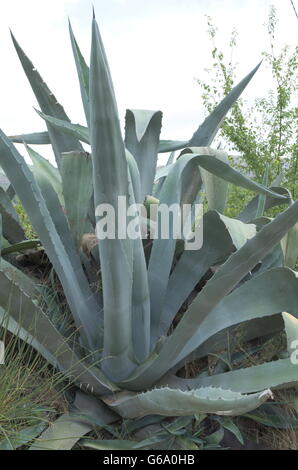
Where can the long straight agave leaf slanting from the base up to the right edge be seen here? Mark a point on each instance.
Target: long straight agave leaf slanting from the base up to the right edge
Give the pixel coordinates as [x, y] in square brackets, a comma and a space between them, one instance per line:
[222, 283]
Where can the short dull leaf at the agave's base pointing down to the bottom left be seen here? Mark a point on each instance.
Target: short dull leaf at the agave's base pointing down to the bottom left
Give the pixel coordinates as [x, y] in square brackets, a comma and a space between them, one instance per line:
[69, 428]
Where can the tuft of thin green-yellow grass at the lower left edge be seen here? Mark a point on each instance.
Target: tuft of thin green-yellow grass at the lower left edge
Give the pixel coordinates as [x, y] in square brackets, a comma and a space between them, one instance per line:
[29, 396]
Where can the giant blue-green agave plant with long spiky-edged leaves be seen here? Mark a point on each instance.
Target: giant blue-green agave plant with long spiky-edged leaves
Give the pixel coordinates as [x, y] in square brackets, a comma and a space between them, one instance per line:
[126, 353]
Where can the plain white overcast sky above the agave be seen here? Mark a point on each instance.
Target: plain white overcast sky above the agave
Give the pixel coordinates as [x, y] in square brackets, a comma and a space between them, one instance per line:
[155, 48]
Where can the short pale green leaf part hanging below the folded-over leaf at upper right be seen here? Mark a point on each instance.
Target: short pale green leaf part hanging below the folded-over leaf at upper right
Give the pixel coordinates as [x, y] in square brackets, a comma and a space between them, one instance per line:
[216, 188]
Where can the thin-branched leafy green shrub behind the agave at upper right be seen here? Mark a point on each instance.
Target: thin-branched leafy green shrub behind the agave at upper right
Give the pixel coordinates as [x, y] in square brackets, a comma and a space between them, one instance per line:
[265, 131]
